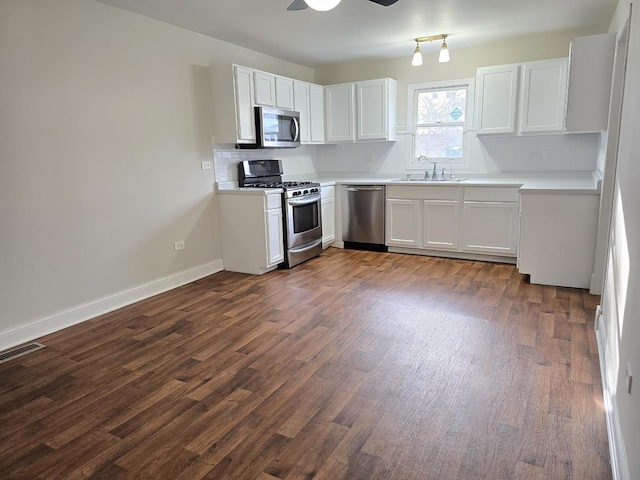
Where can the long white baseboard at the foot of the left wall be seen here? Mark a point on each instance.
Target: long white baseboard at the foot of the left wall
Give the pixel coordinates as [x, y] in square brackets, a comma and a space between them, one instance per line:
[80, 313]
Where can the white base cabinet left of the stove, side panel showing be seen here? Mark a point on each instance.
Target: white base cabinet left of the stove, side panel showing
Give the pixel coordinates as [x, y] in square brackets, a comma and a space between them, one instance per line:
[252, 237]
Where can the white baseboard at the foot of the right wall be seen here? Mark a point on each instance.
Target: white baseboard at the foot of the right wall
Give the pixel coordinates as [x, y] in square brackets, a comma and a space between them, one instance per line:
[617, 452]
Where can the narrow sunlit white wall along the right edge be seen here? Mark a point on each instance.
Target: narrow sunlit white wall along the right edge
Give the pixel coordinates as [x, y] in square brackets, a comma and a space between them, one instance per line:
[620, 332]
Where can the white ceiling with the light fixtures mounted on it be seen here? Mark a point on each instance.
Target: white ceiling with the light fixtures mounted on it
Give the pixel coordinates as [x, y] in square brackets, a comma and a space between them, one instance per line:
[360, 29]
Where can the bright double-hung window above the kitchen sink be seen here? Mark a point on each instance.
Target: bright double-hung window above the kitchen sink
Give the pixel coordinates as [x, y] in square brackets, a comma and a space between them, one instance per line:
[439, 114]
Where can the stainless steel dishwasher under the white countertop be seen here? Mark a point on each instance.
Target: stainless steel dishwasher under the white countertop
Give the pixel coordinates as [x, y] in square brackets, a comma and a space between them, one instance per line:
[363, 217]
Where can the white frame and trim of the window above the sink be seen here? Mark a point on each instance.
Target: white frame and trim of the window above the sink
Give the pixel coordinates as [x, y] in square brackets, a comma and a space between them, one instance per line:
[412, 90]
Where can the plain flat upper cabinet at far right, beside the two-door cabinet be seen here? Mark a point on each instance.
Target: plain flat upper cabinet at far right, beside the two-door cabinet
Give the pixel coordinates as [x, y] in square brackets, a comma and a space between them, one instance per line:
[590, 75]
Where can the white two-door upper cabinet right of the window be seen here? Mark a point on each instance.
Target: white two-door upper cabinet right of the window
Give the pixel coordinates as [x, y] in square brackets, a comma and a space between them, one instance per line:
[521, 98]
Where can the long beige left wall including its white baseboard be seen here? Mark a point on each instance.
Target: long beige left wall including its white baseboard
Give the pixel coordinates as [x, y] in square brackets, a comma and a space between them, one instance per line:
[104, 120]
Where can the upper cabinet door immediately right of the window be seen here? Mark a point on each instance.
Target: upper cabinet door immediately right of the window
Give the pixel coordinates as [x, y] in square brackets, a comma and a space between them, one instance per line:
[496, 99]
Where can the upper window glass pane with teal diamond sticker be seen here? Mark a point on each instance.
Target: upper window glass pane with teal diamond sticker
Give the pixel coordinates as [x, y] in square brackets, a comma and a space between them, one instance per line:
[441, 106]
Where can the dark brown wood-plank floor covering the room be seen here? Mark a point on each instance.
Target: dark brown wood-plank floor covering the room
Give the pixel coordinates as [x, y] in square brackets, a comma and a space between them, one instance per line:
[355, 365]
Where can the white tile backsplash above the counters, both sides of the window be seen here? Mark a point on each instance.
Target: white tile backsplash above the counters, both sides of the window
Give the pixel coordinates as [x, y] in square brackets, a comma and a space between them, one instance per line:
[536, 153]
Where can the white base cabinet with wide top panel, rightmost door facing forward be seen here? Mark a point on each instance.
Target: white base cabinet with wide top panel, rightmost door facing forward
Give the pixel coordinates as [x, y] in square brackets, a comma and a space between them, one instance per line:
[491, 220]
